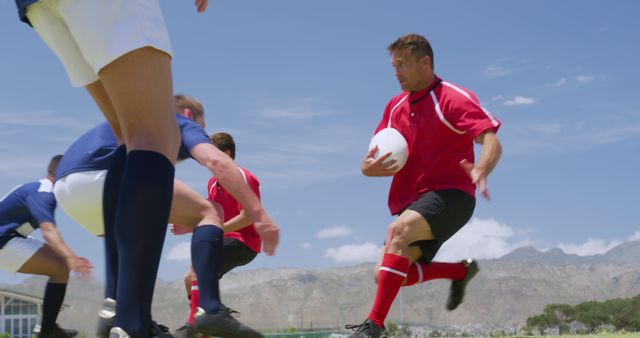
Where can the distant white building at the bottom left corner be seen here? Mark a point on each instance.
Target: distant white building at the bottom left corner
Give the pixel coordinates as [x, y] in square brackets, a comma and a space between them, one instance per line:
[19, 313]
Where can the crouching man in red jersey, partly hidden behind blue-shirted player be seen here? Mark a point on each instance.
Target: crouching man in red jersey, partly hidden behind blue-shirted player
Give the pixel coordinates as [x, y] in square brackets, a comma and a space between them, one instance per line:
[241, 243]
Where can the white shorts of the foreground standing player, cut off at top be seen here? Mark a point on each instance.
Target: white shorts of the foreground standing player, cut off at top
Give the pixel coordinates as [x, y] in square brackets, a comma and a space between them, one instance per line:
[87, 35]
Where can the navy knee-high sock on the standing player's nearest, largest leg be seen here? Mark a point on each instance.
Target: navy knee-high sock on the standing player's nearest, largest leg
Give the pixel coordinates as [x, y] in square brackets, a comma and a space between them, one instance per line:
[141, 223]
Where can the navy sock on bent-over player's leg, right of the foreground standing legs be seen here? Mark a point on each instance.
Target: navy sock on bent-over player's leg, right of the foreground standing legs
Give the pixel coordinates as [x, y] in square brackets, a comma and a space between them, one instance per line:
[206, 256]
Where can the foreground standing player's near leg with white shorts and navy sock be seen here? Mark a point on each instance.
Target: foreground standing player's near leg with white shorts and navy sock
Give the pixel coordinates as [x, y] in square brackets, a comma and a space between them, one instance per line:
[133, 66]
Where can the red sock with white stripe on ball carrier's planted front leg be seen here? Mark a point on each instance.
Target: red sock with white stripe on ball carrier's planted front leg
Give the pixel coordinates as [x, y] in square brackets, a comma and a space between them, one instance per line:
[393, 271]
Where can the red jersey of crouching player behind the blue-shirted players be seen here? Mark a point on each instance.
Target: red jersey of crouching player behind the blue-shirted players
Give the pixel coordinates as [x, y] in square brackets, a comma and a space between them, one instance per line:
[232, 207]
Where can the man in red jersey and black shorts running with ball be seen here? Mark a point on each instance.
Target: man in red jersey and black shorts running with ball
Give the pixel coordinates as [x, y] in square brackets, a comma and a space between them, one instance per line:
[434, 192]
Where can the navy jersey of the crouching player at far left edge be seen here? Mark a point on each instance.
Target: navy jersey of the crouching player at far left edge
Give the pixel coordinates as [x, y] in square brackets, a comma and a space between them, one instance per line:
[25, 208]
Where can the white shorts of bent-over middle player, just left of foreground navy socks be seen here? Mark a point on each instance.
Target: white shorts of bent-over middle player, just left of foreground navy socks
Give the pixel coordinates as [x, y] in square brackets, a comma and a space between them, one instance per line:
[79, 195]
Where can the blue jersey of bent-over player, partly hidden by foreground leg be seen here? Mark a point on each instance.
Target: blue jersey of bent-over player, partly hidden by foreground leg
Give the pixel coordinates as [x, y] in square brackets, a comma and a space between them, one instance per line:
[94, 150]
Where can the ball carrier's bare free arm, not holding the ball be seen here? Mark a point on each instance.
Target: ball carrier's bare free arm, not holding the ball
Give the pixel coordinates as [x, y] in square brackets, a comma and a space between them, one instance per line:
[491, 152]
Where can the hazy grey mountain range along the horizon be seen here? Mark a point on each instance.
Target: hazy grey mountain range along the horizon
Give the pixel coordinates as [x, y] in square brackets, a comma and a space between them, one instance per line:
[505, 292]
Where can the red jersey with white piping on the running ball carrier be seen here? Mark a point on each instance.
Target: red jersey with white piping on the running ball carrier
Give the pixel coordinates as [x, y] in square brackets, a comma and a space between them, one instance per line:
[440, 124]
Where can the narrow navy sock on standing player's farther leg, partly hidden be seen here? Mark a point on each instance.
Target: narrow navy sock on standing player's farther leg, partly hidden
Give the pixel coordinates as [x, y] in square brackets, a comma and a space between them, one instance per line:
[109, 204]
